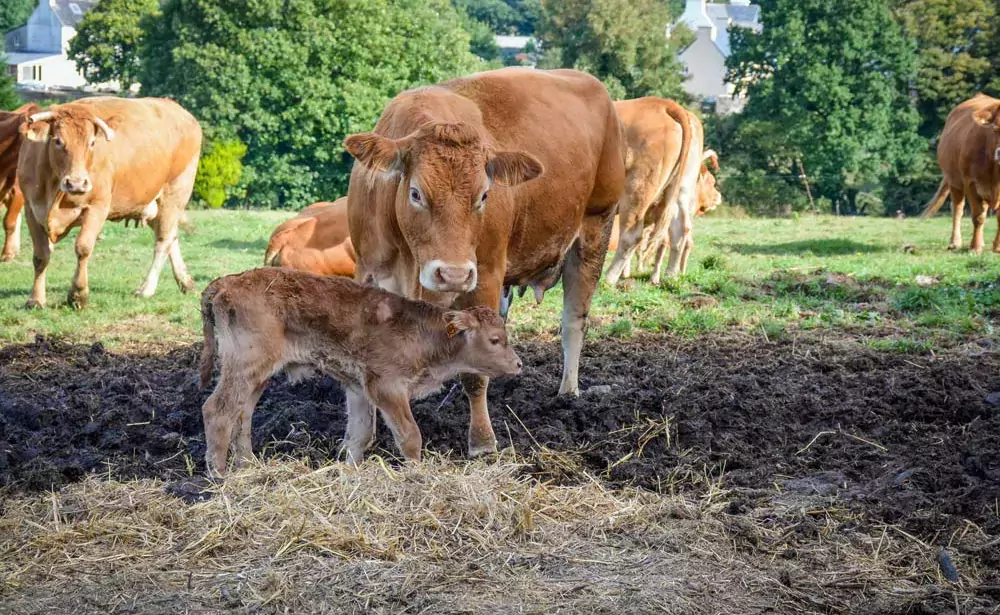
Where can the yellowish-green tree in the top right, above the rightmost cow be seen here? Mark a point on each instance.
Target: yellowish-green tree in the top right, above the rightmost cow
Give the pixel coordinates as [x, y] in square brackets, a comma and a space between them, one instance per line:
[953, 39]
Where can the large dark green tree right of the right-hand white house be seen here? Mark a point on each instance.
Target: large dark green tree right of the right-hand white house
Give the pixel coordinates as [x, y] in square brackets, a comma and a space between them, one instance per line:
[834, 78]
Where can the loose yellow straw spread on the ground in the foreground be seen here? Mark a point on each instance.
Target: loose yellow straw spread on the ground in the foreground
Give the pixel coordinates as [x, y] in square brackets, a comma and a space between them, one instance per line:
[442, 537]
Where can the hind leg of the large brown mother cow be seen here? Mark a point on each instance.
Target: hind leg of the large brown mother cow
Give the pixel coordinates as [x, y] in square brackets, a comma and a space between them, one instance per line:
[581, 272]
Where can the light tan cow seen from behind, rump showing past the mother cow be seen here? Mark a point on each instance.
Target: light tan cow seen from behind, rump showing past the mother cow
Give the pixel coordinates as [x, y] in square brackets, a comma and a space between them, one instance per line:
[665, 144]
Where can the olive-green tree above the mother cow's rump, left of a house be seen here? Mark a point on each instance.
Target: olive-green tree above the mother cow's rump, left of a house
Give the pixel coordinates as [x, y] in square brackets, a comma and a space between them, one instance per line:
[622, 42]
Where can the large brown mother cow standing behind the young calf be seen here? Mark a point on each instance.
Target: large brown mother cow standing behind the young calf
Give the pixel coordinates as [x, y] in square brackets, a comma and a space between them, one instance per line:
[505, 178]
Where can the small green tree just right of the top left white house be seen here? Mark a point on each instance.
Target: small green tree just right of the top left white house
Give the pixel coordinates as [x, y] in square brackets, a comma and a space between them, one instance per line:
[108, 39]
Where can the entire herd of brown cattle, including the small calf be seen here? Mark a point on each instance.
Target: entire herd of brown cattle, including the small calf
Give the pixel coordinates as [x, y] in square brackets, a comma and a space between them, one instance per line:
[463, 192]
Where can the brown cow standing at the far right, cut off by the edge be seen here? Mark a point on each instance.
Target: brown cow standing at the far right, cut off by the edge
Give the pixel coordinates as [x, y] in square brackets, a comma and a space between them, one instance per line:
[969, 156]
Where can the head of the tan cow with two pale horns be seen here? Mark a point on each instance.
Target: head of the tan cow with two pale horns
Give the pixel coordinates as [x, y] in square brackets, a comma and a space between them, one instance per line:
[70, 134]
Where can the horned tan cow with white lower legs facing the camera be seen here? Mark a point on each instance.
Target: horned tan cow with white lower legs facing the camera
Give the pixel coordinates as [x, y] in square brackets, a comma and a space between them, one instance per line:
[105, 158]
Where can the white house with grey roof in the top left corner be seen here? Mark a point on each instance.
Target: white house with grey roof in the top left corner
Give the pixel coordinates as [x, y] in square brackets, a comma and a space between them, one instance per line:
[36, 52]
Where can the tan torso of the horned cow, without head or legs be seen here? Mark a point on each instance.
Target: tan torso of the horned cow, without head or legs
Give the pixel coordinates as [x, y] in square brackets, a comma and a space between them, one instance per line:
[155, 141]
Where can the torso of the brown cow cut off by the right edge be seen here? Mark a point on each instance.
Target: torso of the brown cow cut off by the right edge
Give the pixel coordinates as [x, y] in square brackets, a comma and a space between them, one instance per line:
[965, 146]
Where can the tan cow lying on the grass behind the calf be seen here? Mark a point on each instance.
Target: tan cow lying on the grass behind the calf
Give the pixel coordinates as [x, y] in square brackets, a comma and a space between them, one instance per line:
[316, 240]
